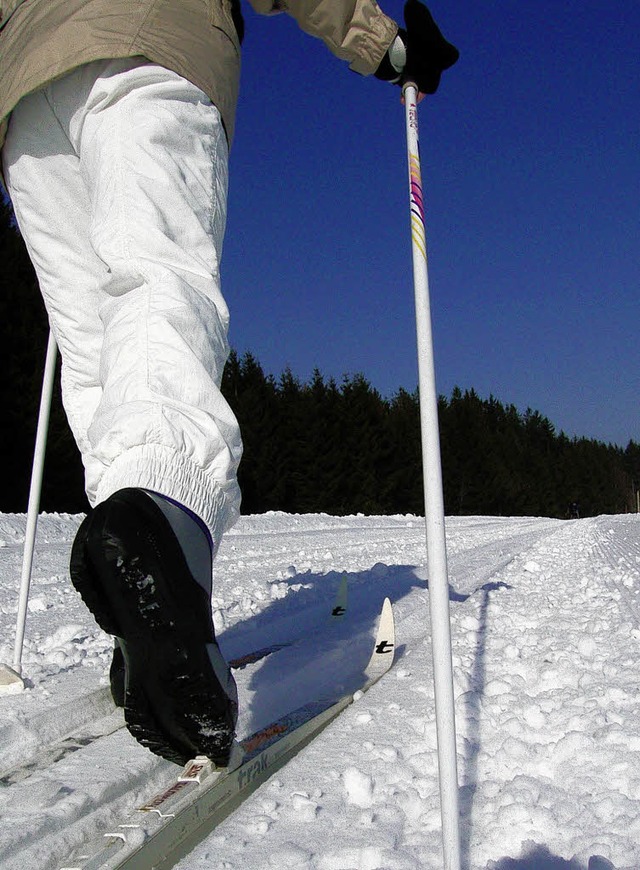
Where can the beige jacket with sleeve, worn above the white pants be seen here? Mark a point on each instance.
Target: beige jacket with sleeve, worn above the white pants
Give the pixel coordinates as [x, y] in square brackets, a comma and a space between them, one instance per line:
[41, 40]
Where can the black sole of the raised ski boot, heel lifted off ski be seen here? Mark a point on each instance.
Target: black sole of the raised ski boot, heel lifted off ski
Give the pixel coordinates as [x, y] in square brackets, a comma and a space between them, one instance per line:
[180, 699]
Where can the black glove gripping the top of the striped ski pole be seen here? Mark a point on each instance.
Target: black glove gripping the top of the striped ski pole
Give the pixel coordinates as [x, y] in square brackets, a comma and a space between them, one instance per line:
[420, 53]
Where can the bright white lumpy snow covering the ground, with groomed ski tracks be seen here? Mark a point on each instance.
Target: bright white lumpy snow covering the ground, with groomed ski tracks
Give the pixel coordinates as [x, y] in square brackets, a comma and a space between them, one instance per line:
[545, 618]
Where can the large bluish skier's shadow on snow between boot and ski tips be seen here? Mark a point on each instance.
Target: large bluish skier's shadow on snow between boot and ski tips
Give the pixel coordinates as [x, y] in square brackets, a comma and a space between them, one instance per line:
[316, 665]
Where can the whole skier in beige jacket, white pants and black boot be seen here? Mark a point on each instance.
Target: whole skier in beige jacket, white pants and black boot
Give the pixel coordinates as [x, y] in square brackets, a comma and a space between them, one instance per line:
[116, 117]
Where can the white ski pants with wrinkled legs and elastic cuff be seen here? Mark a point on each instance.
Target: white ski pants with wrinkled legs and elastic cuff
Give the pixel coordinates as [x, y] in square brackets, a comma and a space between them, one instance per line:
[118, 177]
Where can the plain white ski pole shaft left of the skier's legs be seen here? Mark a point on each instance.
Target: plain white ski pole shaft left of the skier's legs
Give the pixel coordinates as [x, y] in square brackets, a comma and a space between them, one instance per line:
[34, 497]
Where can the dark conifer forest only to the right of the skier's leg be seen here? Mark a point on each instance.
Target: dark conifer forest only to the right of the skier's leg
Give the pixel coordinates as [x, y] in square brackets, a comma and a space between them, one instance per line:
[340, 449]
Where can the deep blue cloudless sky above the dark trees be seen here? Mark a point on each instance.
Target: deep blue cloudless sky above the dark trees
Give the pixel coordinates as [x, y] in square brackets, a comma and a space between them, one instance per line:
[531, 173]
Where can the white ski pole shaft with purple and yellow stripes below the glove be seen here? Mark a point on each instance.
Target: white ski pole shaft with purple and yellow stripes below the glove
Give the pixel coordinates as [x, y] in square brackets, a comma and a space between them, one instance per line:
[434, 504]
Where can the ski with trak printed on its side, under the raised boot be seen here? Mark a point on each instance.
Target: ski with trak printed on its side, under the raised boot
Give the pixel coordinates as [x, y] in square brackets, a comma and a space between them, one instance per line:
[169, 826]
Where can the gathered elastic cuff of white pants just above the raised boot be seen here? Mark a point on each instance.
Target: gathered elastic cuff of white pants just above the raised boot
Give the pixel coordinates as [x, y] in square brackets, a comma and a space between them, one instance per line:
[165, 471]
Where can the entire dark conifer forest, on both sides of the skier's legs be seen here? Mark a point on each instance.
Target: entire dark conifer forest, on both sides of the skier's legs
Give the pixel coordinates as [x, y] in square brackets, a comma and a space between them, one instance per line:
[338, 448]
